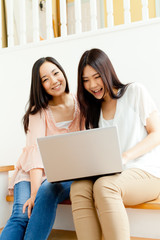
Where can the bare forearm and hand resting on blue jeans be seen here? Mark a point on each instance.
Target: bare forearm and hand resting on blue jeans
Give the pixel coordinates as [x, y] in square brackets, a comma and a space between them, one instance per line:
[35, 177]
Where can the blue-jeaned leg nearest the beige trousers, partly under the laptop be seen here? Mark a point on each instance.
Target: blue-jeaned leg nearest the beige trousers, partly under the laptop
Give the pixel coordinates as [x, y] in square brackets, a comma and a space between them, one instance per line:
[43, 215]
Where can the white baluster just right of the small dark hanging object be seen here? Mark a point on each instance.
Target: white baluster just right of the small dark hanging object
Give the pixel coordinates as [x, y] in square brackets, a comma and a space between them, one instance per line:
[49, 24]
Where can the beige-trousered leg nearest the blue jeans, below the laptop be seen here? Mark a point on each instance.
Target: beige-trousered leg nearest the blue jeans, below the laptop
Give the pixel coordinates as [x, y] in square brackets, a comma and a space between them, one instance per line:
[84, 213]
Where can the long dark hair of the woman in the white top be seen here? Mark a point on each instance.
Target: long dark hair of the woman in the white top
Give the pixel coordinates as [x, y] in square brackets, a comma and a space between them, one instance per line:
[90, 106]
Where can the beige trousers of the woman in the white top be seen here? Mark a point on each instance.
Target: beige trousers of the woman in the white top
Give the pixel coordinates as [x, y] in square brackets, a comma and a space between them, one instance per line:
[98, 207]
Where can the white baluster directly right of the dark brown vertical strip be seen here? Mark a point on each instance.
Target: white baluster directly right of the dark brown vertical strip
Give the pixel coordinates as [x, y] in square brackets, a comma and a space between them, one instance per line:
[63, 17]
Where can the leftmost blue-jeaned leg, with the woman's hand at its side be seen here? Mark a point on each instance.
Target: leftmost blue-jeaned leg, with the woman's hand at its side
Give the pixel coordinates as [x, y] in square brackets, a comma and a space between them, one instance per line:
[16, 225]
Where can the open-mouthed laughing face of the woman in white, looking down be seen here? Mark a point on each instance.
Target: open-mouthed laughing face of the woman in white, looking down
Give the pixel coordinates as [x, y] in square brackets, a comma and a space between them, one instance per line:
[92, 82]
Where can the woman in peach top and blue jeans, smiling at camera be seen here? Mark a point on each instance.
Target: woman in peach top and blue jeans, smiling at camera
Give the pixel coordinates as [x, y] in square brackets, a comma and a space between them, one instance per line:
[51, 110]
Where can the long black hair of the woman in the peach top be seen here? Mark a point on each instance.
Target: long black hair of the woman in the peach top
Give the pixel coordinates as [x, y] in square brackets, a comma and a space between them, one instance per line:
[39, 98]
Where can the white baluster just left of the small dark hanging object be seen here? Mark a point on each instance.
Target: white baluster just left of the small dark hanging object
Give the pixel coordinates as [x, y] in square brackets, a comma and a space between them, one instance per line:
[35, 17]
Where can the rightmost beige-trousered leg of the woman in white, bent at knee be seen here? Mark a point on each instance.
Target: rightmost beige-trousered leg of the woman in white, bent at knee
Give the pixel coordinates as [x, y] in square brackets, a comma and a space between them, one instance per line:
[131, 187]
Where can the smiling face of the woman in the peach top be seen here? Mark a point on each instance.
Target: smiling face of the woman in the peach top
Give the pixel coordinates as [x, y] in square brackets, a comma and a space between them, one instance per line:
[52, 79]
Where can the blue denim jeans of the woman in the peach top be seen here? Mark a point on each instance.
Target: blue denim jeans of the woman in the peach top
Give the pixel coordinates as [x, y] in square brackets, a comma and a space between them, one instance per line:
[40, 224]
